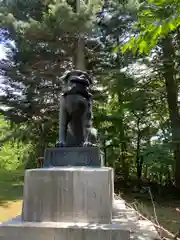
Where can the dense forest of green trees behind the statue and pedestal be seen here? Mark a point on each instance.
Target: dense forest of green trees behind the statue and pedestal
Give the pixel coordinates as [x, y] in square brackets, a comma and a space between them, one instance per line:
[131, 49]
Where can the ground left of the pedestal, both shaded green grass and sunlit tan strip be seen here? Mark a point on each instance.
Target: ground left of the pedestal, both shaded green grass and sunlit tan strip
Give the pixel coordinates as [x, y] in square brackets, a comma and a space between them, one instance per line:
[11, 191]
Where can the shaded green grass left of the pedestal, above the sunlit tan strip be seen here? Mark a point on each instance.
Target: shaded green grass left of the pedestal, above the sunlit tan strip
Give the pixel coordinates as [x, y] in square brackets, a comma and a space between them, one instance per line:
[11, 186]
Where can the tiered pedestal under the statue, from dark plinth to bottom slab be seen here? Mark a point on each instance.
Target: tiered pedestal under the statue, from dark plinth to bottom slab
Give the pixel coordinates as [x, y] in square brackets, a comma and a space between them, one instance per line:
[67, 203]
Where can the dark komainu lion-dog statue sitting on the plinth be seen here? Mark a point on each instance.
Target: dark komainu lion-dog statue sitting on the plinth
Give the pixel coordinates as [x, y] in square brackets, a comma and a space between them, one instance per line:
[75, 127]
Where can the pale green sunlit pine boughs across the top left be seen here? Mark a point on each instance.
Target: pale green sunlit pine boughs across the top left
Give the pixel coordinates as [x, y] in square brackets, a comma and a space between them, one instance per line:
[58, 16]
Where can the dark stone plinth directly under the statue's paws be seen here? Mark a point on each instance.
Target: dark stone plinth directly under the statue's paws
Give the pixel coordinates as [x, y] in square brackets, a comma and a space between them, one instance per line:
[74, 156]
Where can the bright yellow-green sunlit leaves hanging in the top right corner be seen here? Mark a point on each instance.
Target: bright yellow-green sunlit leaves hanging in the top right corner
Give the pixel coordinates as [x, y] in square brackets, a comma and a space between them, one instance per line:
[156, 19]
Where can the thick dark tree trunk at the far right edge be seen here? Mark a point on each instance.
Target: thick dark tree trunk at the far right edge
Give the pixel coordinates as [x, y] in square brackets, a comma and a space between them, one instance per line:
[172, 99]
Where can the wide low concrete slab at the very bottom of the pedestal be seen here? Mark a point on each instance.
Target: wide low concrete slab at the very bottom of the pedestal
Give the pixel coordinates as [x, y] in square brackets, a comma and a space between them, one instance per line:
[62, 231]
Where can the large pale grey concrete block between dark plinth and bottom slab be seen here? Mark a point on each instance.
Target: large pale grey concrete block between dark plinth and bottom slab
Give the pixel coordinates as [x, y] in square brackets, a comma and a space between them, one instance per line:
[68, 194]
